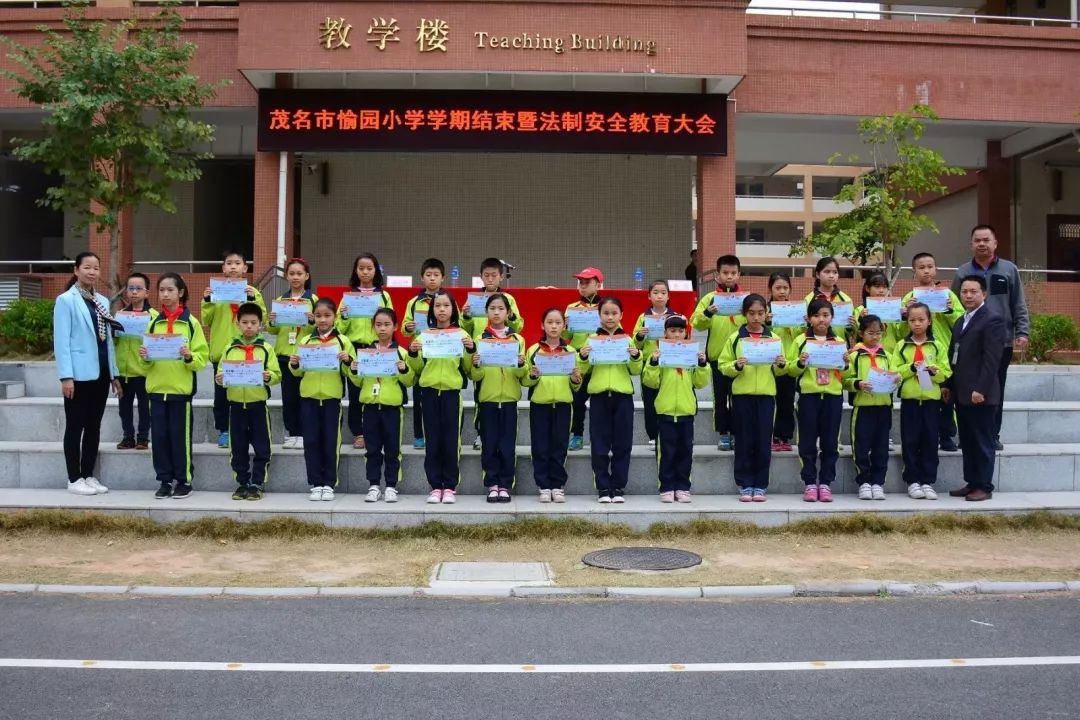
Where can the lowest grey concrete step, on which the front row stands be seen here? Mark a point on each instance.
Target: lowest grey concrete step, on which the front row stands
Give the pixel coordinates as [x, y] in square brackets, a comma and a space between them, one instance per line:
[639, 513]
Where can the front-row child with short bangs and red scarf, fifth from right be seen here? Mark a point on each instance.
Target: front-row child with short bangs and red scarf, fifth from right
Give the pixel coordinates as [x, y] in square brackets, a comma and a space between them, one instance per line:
[677, 409]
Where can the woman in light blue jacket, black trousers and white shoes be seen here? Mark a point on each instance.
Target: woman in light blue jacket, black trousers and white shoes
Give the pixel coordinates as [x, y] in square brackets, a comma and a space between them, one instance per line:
[87, 366]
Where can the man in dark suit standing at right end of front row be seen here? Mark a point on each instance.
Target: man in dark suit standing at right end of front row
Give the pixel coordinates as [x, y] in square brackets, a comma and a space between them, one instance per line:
[976, 354]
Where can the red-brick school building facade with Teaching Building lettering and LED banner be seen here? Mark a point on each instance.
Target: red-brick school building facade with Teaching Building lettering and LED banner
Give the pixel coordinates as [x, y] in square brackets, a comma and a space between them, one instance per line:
[563, 134]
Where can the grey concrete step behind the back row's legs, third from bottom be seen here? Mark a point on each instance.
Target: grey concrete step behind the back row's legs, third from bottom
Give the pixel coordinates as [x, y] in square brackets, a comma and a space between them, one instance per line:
[43, 419]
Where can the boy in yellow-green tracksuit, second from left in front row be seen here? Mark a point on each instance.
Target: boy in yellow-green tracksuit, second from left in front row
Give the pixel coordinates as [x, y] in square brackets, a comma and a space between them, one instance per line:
[249, 415]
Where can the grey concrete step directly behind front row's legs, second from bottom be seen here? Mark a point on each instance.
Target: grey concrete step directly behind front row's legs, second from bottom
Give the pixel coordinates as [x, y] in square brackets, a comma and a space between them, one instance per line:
[1020, 468]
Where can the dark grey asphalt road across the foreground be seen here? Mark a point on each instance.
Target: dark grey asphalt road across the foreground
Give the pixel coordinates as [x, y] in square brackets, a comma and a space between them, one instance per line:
[517, 632]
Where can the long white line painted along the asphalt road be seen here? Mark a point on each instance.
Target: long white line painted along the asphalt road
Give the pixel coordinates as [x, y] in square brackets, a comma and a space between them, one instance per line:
[537, 669]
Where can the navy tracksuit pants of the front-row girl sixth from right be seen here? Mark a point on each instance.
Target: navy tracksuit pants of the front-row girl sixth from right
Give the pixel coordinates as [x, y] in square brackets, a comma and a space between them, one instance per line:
[612, 434]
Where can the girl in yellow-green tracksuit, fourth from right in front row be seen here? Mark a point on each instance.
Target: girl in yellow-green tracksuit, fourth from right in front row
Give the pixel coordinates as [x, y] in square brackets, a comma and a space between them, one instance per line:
[754, 399]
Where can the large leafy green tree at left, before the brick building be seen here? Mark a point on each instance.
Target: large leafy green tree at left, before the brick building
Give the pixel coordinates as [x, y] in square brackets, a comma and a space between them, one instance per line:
[118, 130]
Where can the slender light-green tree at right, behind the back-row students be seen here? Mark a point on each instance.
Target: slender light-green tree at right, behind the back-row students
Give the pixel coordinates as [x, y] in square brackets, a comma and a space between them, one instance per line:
[884, 215]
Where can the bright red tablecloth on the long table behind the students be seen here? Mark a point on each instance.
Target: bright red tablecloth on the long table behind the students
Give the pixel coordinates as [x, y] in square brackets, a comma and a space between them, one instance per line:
[533, 302]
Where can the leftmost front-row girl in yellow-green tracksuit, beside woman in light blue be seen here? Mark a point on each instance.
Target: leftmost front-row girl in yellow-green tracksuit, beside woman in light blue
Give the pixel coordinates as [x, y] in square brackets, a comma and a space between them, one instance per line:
[170, 386]
